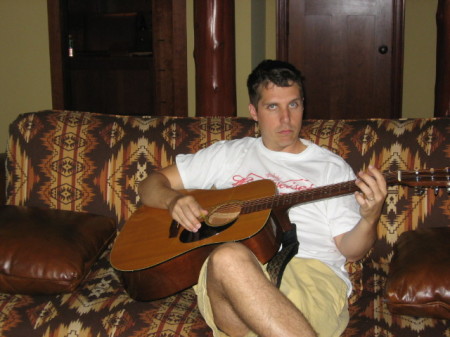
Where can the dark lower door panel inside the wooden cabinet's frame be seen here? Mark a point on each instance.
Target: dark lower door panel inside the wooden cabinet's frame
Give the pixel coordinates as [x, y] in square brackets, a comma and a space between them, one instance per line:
[117, 86]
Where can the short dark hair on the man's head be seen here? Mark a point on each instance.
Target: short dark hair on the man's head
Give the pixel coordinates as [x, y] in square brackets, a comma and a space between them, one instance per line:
[280, 73]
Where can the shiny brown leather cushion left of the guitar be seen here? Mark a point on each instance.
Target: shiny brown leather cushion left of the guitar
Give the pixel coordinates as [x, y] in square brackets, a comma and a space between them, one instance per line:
[46, 251]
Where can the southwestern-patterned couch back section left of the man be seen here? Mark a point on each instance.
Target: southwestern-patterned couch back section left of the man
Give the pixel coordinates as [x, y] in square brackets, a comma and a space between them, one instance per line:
[94, 162]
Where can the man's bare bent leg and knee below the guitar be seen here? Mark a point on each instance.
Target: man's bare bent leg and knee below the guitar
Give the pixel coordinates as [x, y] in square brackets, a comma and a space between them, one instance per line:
[243, 299]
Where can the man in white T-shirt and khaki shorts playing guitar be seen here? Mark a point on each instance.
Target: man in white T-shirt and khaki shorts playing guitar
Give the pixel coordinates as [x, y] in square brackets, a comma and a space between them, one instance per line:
[235, 295]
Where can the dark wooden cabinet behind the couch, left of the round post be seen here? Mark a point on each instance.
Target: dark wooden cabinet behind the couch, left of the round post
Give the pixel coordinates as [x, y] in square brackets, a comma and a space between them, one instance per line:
[113, 56]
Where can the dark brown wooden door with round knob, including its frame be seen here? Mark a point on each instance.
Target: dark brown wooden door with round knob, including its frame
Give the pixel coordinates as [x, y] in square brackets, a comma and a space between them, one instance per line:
[350, 54]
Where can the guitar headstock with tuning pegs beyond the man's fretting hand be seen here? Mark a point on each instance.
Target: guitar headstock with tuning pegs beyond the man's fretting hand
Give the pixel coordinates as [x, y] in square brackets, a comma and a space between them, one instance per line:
[436, 178]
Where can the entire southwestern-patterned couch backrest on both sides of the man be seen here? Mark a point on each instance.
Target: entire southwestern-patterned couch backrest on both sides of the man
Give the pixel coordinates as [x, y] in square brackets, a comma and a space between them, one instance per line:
[94, 162]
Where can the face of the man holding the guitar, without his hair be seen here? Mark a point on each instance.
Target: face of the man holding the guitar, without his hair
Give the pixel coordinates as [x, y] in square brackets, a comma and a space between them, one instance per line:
[279, 115]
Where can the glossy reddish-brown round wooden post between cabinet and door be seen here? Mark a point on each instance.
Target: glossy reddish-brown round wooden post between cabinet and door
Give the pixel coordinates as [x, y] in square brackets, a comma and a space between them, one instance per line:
[214, 54]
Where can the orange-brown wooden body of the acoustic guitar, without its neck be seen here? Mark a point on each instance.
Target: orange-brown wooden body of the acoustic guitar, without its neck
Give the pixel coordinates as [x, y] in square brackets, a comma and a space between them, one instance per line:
[158, 262]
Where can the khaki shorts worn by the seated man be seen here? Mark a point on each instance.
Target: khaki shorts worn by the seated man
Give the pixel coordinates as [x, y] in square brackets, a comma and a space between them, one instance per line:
[311, 285]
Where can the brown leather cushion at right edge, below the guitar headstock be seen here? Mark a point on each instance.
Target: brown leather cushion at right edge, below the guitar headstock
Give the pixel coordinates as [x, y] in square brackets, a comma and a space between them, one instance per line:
[418, 283]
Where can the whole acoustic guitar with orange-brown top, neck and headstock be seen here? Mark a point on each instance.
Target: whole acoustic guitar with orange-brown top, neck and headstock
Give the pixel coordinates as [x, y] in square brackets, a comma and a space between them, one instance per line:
[253, 214]
